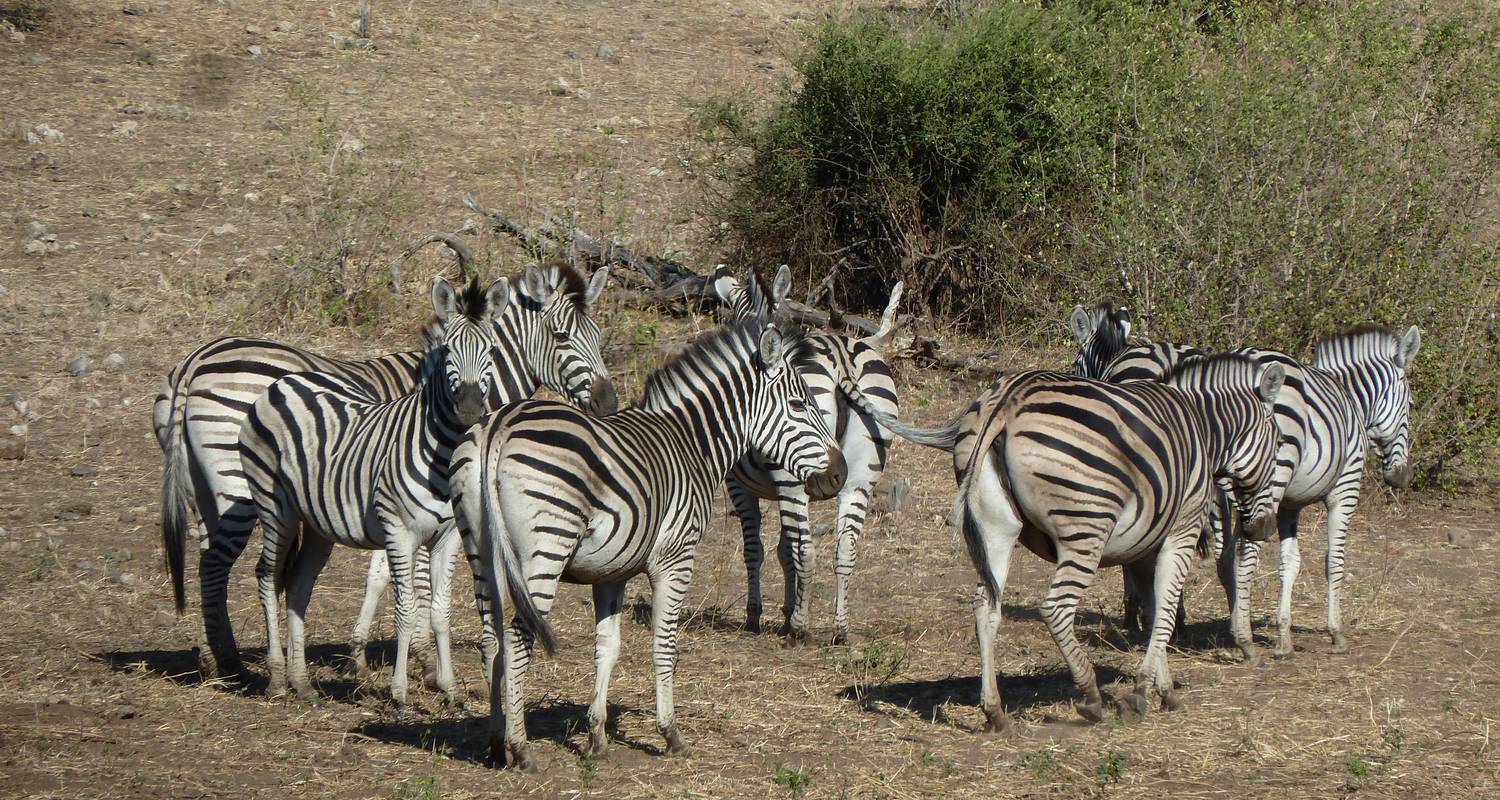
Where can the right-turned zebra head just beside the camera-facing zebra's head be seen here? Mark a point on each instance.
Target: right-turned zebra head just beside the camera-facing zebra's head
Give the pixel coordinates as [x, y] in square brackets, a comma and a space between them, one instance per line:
[562, 341]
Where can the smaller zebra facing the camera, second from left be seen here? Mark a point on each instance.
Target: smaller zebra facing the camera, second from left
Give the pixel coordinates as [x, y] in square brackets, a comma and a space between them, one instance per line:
[328, 463]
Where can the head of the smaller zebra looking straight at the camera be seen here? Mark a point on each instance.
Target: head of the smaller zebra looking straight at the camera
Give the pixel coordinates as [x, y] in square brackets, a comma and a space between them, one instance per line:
[469, 341]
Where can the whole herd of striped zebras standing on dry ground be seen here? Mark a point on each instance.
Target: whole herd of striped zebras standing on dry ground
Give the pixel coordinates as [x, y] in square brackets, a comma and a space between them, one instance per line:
[1141, 457]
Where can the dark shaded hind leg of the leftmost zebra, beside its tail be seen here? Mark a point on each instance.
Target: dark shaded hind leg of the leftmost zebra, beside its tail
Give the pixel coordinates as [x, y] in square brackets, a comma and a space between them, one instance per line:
[227, 541]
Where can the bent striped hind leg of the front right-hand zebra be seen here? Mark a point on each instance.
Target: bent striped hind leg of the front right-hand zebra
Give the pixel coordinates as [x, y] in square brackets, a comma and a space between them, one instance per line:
[1078, 564]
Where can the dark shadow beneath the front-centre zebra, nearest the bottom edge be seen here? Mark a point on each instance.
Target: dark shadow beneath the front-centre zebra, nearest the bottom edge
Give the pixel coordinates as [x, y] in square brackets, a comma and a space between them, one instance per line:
[467, 739]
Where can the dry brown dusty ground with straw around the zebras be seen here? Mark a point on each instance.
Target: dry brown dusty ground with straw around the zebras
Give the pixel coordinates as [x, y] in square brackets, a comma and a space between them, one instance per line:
[100, 694]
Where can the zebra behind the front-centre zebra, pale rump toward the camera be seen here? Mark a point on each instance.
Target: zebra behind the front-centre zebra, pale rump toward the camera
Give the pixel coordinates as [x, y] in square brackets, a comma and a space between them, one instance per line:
[836, 361]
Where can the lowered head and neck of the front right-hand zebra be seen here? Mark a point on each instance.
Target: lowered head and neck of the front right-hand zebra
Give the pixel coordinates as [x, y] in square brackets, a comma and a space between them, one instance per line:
[1240, 402]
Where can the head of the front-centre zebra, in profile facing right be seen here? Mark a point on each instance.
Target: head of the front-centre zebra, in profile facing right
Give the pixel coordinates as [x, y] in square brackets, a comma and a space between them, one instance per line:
[784, 427]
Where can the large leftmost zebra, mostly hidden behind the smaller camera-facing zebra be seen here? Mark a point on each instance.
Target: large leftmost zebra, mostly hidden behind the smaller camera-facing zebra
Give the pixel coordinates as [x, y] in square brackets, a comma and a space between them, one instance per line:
[545, 334]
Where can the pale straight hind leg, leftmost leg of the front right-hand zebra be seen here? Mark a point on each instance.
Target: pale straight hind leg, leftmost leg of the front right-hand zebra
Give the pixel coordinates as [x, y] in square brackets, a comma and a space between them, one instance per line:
[992, 528]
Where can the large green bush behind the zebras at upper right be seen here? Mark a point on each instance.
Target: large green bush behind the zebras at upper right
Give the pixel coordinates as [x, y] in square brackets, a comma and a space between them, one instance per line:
[1237, 172]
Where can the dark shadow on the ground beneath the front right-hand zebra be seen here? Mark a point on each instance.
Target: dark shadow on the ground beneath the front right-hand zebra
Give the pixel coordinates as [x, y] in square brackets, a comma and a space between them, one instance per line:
[932, 699]
